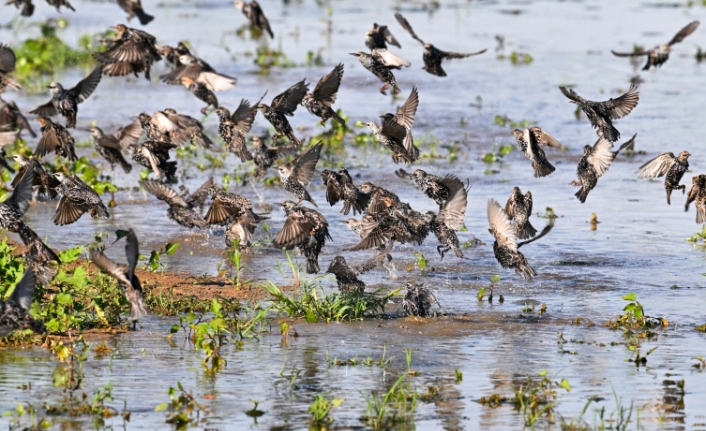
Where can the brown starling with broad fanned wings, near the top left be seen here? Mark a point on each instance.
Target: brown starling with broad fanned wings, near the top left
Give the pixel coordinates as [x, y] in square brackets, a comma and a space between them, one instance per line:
[131, 51]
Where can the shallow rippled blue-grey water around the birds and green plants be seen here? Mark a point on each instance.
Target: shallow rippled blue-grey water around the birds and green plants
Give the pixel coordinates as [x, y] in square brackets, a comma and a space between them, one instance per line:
[638, 246]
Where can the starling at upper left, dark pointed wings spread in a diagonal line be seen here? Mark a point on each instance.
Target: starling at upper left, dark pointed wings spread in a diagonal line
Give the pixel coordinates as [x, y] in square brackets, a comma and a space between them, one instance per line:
[65, 102]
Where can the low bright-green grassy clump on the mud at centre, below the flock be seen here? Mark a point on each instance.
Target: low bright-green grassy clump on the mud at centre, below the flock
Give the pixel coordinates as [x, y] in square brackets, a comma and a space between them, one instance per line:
[313, 305]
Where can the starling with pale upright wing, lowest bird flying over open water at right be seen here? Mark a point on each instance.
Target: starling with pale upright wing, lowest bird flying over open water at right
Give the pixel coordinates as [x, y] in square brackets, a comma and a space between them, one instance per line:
[506, 247]
